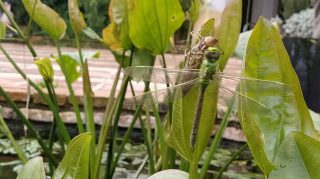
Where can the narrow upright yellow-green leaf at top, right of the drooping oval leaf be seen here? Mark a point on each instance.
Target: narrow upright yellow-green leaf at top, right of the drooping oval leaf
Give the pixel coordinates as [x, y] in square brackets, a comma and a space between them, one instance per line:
[77, 21]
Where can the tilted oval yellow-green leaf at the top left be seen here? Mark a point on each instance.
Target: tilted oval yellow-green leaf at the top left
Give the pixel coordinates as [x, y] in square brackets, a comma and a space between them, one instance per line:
[46, 18]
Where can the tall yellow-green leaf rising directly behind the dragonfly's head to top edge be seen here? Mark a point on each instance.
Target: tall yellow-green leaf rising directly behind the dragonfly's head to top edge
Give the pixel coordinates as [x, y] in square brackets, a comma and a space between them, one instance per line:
[227, 28]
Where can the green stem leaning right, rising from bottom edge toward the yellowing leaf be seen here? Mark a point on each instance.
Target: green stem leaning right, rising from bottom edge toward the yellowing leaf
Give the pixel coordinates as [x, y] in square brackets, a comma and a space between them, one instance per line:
[106, 122]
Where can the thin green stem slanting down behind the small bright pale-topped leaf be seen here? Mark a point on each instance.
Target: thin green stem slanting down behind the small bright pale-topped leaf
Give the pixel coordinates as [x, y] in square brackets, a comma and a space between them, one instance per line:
[73, 99]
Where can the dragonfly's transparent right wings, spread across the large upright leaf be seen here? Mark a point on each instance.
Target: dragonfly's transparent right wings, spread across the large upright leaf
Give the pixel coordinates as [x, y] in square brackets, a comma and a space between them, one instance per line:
[253, 95]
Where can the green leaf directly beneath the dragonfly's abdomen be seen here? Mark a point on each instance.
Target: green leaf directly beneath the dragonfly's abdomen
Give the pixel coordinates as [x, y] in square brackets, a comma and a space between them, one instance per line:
[178, 134]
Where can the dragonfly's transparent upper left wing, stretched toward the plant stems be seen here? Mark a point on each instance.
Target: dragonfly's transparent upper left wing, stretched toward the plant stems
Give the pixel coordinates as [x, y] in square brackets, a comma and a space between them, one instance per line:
[160, 75]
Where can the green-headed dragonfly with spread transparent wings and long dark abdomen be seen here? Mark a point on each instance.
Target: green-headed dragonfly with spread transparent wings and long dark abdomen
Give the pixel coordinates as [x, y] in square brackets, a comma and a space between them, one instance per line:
[208, 74]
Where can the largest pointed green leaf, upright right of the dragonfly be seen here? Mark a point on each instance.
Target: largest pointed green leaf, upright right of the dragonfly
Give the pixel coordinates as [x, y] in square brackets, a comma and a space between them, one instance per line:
[266, 128]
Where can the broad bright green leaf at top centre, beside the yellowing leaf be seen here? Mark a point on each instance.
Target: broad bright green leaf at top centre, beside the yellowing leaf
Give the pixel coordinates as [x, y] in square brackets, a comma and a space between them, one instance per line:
[153, 22]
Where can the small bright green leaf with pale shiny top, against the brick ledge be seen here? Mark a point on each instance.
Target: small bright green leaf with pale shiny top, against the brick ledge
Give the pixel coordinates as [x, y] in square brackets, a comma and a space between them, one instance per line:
[72, 62]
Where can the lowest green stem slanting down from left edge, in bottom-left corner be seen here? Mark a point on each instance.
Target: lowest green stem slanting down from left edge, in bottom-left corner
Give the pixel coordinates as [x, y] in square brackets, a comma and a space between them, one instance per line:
[5, 129]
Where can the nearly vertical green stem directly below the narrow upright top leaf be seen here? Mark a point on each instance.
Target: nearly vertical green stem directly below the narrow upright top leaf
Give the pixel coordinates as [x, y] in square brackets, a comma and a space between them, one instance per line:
[88, 104]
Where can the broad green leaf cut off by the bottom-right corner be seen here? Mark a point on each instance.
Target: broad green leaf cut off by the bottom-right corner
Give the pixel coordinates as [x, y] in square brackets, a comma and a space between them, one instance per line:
[297, 157]
